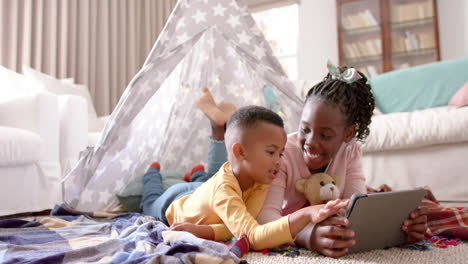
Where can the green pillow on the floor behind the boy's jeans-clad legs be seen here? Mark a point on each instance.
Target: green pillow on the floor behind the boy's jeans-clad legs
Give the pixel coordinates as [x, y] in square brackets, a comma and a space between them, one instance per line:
[130, 197]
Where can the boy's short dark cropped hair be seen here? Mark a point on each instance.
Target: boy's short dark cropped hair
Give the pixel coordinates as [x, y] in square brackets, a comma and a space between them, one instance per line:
[248, 116]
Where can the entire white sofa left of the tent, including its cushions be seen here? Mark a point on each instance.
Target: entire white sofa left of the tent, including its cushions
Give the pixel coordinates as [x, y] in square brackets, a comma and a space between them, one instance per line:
[42, 132]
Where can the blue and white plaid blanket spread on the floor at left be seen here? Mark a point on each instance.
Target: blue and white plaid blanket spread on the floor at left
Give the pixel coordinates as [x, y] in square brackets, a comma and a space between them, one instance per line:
[124, 238]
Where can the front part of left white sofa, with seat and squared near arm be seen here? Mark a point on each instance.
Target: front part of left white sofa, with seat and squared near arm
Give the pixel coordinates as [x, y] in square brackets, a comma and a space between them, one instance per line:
[29, 154]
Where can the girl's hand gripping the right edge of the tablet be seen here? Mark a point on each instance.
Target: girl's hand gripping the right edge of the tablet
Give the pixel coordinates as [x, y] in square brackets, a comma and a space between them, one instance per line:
[416, 225]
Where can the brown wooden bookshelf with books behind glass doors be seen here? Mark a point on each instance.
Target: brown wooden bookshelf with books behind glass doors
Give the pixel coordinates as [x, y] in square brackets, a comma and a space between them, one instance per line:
[377, 36]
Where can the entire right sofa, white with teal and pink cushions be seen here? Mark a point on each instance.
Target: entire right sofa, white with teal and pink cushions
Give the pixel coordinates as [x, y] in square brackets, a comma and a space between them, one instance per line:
[421, 136]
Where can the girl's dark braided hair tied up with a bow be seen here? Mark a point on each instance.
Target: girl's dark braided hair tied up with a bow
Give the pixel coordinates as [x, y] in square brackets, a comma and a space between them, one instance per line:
[355, 100]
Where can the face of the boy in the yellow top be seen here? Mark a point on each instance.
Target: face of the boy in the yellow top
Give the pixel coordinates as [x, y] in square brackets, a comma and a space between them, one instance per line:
[263, 148]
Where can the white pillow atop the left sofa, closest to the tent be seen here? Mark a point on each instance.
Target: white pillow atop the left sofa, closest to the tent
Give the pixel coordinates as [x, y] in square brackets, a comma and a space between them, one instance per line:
[59, 87]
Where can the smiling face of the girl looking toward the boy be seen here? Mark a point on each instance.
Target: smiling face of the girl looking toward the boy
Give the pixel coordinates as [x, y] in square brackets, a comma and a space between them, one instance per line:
[321, 132]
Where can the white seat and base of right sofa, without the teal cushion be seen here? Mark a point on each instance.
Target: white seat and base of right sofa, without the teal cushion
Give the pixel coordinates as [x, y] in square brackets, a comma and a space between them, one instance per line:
[420, 148]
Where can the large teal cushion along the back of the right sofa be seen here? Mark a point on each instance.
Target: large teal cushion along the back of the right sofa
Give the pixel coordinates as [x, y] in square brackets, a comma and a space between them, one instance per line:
[420, 87]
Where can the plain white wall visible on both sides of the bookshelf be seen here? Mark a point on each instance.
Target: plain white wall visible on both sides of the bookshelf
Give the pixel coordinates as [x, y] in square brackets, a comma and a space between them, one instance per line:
[318, 34]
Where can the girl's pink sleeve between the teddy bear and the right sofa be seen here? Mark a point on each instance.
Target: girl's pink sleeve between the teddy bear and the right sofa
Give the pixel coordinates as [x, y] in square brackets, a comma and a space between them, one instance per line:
[355, 180]
